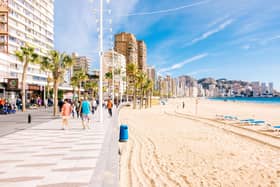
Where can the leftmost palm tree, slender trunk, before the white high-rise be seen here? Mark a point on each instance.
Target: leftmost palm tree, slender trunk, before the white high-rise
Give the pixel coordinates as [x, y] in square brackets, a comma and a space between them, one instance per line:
[26, 55]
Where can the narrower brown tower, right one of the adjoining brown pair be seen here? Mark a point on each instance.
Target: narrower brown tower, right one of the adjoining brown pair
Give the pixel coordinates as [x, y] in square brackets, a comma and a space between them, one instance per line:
[142, 56]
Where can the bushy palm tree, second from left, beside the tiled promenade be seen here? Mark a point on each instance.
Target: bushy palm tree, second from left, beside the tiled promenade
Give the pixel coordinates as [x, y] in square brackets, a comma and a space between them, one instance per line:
[57, 63]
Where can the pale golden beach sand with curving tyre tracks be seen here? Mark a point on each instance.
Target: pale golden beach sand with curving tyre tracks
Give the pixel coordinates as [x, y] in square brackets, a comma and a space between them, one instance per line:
[166, 150]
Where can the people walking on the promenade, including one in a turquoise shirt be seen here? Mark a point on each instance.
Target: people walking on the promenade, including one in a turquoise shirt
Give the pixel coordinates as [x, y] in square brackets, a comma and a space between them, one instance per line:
[83, 109]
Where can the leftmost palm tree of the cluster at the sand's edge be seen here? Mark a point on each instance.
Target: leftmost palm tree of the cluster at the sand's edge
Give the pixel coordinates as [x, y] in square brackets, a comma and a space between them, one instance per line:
[131, 70]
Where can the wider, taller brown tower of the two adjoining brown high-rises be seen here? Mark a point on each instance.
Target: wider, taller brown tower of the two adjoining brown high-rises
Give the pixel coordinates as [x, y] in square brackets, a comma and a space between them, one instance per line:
[126, 44]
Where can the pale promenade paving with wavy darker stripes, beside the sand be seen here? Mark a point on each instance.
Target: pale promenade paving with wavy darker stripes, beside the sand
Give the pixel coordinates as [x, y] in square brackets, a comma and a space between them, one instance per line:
[46, 156]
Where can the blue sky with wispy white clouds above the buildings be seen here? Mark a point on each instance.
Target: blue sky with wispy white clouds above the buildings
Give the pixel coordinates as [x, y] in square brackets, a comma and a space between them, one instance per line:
[238, 40]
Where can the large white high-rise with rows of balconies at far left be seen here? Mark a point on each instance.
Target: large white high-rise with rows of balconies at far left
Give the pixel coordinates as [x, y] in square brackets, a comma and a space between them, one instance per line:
[24, 21]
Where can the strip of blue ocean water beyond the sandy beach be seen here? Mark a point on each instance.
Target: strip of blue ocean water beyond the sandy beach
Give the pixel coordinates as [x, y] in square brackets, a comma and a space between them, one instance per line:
[263, 100]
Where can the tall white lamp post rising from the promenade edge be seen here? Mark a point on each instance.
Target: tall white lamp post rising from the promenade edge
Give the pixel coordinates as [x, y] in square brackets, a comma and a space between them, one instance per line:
[100, 63]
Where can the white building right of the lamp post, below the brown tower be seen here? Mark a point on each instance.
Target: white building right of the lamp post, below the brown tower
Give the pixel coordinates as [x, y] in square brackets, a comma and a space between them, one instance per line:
[114, 60]
